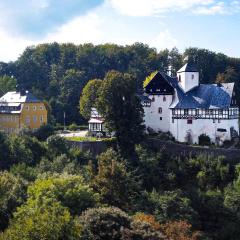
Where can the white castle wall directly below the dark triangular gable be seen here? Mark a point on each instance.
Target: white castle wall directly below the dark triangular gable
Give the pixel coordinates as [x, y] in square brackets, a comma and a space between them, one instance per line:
[152, 116]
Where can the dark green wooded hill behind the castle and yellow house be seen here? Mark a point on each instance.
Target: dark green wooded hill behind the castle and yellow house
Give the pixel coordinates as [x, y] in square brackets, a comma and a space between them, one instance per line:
[58, 72]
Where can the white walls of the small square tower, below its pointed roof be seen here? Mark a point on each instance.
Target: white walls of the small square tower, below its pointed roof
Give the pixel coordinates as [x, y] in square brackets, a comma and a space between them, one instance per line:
[187, 83]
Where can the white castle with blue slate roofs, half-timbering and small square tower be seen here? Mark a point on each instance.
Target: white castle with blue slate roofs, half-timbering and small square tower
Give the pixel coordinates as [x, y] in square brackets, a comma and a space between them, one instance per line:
[187, 109]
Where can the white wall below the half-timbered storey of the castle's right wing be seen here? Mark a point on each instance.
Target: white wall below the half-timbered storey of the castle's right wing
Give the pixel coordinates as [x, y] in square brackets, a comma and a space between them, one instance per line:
[180, 128]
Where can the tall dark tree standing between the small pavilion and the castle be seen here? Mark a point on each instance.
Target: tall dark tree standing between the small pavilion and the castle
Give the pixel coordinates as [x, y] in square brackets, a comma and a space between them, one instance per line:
[122, 110]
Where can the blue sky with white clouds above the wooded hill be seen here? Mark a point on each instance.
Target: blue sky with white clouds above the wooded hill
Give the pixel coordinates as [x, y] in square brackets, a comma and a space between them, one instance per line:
[210, 24]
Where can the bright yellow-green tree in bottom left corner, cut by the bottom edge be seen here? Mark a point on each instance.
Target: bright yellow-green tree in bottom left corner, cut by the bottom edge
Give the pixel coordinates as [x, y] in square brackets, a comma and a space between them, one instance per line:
[50, 221]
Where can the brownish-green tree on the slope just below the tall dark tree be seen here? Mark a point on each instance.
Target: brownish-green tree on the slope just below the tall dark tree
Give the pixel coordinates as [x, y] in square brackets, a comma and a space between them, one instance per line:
[117, 186]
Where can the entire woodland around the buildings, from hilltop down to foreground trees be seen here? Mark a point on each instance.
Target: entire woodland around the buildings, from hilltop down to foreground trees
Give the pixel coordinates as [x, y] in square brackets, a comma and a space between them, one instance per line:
[51, 190]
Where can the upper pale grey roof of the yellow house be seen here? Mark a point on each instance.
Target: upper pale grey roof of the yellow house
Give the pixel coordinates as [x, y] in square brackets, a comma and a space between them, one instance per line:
[16, 97]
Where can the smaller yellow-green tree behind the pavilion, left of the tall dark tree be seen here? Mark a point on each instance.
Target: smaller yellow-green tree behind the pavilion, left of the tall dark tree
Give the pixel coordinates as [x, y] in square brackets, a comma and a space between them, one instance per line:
[89, 97]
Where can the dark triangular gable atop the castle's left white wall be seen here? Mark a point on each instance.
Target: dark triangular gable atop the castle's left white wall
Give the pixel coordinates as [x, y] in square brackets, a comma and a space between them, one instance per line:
[158, 85]
